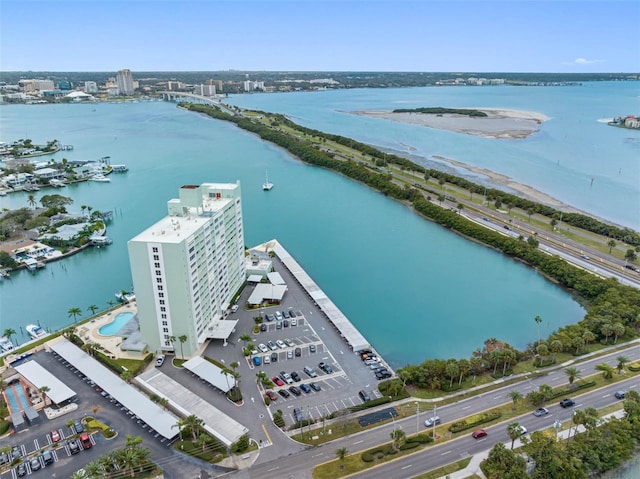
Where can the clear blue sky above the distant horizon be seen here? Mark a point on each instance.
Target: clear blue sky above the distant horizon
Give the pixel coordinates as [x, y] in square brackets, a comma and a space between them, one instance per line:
[307, 35]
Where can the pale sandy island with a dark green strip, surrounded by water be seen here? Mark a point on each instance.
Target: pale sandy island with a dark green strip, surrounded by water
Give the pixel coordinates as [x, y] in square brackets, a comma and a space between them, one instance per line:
[498, 124]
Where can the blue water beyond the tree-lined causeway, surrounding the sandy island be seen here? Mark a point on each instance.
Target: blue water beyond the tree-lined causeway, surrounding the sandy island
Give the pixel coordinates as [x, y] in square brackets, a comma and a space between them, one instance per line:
[572, 148]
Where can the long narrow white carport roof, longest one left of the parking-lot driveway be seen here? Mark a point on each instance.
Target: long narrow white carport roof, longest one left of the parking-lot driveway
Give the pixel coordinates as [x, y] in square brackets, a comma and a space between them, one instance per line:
[153, 415]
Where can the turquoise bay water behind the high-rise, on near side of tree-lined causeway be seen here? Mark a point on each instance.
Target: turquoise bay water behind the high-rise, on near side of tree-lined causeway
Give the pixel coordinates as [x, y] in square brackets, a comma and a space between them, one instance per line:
[414, 289]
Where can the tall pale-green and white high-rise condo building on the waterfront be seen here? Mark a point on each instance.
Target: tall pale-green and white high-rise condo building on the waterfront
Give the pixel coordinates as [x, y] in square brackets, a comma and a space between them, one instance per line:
[188, 267]
